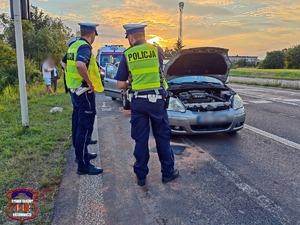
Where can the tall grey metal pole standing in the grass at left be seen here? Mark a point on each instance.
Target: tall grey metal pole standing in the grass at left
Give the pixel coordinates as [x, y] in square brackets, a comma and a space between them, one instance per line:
[20, 60]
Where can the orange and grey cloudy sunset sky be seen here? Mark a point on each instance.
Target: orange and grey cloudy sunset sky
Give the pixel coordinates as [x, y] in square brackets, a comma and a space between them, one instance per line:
[246, 27]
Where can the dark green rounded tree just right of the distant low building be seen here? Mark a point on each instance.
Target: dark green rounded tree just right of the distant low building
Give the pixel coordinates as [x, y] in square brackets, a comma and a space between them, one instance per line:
[273, 60]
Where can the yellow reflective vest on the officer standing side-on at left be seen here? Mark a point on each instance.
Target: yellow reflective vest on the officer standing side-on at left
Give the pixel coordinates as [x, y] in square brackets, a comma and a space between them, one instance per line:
[73, 78]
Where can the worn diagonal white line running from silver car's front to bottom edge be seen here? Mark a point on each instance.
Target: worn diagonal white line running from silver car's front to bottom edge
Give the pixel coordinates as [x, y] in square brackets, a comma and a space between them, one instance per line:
[262, 200]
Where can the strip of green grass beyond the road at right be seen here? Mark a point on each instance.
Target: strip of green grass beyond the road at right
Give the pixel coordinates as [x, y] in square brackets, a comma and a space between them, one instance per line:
[284, 74]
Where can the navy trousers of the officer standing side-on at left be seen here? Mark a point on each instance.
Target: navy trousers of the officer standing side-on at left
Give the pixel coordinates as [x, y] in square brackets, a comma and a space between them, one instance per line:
[83, 117]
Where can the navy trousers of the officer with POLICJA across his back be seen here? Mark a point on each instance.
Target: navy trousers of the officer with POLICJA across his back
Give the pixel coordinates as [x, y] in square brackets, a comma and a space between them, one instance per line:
[142, 113]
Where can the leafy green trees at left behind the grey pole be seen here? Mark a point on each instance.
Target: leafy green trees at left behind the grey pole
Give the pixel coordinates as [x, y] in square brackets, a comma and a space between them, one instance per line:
[42, 36]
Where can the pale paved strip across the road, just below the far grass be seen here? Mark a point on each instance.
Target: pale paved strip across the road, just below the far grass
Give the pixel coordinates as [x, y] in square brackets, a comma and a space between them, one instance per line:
[275, 82]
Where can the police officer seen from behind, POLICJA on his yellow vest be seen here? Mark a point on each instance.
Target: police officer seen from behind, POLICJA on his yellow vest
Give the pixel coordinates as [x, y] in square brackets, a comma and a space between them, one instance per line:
[142, 62]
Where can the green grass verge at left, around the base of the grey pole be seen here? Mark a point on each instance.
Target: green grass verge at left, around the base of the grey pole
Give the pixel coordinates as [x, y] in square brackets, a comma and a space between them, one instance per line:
[33, 157]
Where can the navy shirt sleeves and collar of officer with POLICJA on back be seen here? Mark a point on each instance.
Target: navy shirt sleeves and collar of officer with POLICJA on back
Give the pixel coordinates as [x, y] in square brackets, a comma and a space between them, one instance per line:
[123, 71]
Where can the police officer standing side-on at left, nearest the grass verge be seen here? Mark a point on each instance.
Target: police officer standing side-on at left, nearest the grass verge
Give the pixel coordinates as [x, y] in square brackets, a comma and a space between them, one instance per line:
[83, 79]
